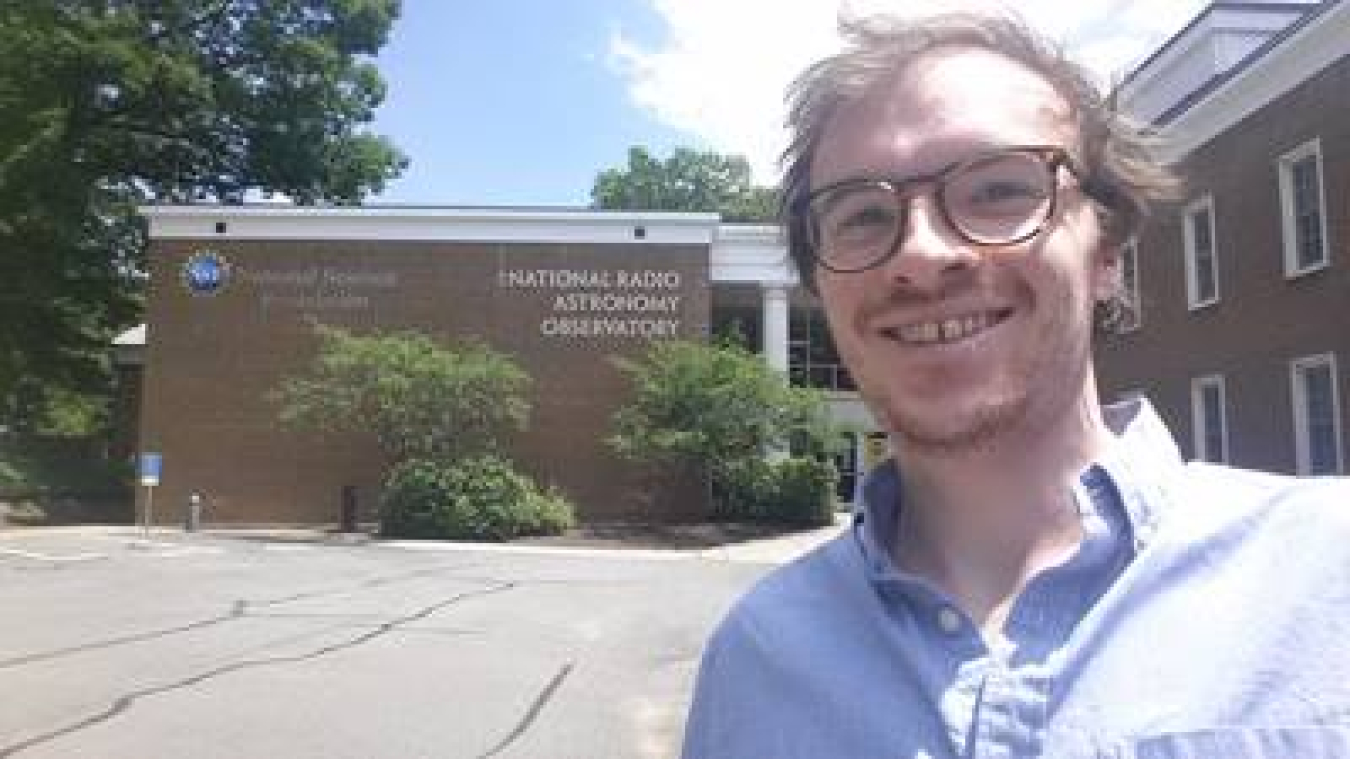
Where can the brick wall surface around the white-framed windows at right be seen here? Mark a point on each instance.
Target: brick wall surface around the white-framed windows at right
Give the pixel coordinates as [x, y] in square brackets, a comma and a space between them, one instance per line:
[1263, 319]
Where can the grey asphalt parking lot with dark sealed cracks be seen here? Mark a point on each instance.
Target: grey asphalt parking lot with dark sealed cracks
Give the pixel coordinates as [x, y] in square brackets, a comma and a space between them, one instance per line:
[118, 645]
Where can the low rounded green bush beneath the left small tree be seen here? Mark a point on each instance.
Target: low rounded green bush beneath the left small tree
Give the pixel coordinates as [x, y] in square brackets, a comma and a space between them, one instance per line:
[475, 499]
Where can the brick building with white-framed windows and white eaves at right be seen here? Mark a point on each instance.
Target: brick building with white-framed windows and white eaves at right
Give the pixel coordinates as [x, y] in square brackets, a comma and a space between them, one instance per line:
[1244, 287]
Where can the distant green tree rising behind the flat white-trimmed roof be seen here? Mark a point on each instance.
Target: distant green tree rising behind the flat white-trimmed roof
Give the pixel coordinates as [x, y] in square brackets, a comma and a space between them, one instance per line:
[688, 180]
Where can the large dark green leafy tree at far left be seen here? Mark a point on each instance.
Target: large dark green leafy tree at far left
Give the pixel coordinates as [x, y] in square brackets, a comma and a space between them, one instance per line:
[115, 103]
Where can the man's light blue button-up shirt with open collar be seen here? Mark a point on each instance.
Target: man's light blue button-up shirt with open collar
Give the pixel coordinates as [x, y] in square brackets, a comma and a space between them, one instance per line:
[1205, 615]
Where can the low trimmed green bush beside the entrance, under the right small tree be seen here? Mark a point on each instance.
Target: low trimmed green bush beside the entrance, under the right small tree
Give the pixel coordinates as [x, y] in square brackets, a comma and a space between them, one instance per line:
[793, 491]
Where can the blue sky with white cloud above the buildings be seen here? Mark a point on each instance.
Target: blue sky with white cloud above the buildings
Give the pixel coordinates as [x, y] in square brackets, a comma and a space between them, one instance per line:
[523, 102]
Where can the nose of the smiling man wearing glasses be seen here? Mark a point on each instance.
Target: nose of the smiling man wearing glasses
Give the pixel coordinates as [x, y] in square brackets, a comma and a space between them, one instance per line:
[931, 252]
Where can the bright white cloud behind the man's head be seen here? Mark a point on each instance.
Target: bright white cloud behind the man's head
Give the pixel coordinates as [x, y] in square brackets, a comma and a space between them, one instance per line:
[724, 66]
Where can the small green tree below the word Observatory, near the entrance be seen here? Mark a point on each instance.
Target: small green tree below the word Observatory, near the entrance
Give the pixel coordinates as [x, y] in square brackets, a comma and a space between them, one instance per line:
[718, 410]
